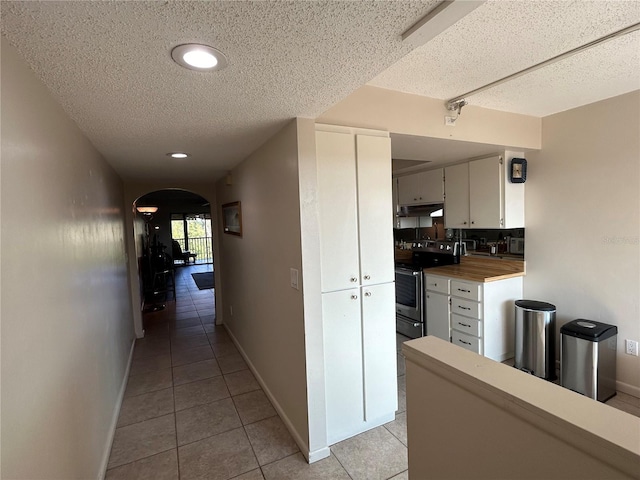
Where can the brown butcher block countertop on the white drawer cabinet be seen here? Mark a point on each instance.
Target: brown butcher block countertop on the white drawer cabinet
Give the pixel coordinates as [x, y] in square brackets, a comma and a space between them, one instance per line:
[478, 269]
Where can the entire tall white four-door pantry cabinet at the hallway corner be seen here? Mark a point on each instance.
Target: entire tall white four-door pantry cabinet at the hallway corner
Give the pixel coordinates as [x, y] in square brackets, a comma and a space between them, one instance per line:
[357, 280]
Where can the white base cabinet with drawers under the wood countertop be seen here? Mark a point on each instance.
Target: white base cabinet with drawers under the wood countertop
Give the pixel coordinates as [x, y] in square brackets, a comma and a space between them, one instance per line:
[481, 315]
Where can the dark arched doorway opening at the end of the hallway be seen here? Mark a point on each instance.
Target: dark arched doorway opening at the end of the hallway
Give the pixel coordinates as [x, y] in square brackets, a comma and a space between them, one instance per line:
[174, 249]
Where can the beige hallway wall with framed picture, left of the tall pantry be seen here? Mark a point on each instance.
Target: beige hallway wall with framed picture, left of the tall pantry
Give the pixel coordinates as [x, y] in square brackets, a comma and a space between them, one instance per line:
[261, 309]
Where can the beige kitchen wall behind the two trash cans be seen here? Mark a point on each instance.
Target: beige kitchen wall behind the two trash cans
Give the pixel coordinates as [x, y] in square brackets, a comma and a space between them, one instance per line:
[583, 221]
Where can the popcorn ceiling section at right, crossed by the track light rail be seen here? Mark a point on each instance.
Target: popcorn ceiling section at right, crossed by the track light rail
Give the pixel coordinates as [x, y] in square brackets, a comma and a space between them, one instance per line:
[500, 38]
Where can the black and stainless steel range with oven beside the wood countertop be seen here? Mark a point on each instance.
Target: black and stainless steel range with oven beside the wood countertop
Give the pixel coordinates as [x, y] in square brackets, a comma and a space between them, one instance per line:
[410, 306]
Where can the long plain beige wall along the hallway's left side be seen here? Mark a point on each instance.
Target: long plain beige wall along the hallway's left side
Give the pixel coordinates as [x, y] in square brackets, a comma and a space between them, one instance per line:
[67, 327]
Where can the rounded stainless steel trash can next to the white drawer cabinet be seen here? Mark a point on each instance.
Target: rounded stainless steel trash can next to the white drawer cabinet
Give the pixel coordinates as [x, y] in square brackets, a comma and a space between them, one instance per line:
[536, 338]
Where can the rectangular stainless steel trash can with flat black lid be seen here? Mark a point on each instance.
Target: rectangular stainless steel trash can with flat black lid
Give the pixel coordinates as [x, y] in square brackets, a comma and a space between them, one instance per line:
[588, 358]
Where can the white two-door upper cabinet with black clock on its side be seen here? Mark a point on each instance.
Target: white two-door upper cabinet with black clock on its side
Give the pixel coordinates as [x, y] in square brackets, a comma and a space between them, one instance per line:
[479, 195]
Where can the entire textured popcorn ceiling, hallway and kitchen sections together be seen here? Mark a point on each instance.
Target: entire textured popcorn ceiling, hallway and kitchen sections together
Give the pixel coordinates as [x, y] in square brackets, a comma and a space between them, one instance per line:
[108, 63]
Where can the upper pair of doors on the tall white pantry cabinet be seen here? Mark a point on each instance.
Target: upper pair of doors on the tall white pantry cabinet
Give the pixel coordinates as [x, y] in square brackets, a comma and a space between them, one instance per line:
[354, 180]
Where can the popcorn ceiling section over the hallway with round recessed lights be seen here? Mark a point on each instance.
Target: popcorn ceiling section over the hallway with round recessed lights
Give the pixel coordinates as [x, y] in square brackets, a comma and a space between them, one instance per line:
[109, 65]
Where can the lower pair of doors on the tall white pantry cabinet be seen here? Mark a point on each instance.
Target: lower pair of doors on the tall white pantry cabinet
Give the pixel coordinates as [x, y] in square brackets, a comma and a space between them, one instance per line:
[360, 359]
